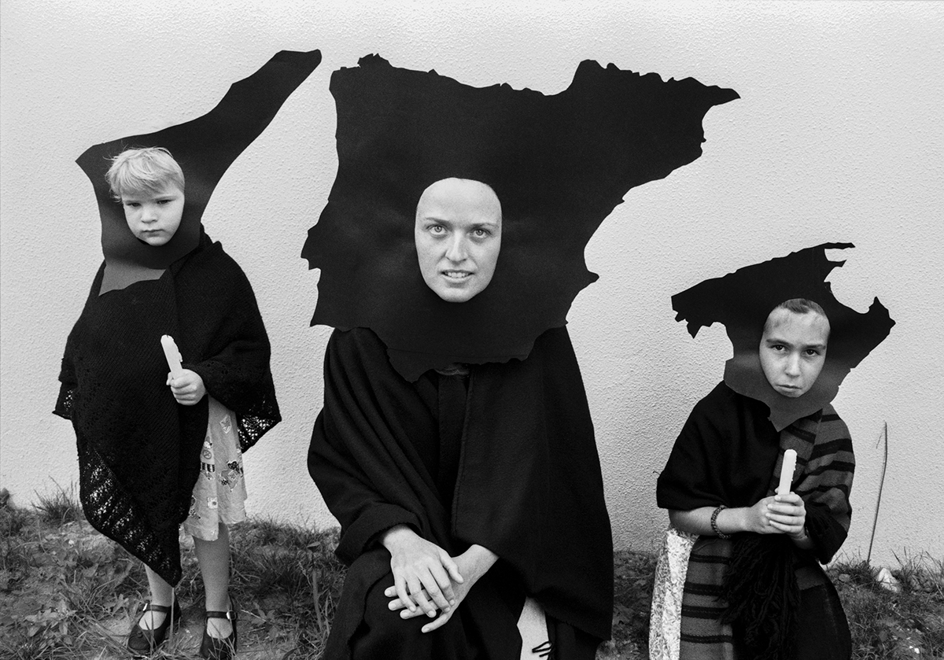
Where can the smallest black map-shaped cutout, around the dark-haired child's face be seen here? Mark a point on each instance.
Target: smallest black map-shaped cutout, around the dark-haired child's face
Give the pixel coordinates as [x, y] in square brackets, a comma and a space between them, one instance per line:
[742, 300]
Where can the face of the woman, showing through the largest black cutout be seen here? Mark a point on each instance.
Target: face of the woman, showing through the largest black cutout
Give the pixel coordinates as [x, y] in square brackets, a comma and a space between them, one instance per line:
[458, 237]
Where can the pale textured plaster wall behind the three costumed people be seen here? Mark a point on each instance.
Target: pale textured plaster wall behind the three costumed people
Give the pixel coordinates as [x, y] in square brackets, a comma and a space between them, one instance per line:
[838, 137]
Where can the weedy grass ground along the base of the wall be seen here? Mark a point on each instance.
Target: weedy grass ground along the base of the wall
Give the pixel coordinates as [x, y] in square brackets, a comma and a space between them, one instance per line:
[67, 592]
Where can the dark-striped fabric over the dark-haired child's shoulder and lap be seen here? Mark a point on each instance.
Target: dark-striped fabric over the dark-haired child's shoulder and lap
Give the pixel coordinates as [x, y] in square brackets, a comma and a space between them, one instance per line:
[823, 478]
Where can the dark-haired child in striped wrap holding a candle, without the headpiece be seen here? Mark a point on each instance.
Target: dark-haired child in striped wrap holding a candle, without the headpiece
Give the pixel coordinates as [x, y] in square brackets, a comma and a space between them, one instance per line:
[739, 575]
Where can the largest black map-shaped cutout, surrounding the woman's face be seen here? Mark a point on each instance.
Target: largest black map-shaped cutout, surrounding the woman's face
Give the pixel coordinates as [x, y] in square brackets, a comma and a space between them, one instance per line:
[559, 165]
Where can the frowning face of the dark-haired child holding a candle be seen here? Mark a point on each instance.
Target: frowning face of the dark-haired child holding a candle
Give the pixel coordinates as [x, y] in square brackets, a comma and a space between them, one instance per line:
[793, 350]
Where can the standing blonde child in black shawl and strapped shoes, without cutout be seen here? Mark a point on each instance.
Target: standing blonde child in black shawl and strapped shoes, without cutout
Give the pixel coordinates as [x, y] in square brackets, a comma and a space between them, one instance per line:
[157, 451]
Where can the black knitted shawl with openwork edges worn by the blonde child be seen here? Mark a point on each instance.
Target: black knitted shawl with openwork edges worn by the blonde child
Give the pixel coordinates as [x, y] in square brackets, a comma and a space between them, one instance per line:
[138, 449]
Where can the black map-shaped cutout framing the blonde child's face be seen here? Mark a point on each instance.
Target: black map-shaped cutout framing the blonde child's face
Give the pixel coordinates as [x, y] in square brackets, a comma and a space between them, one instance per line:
[204, 148]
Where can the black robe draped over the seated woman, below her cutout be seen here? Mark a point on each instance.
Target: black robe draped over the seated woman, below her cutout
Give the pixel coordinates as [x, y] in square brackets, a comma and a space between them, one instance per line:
[527, 486]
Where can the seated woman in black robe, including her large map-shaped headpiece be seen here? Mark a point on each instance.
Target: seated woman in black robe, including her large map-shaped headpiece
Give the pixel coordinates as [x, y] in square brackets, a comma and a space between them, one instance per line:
[455, 446]
